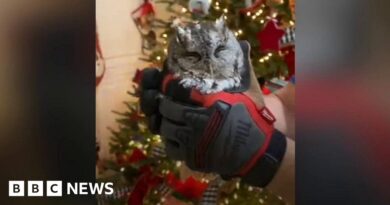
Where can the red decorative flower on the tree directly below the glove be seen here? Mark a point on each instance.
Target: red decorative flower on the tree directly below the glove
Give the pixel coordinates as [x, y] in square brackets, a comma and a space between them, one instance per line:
[190, 188]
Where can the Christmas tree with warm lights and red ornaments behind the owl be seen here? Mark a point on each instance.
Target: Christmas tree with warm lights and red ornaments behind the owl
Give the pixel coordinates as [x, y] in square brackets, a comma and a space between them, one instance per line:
[141, 171]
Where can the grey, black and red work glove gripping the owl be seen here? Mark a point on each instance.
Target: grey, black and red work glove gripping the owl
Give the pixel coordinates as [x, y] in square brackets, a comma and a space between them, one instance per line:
[230, 133]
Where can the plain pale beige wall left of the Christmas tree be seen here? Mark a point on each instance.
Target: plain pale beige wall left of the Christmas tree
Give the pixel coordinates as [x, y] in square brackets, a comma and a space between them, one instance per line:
[120, 43]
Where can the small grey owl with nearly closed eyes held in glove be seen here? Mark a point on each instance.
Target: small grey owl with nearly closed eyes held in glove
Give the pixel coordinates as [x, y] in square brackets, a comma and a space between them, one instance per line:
[206, 56]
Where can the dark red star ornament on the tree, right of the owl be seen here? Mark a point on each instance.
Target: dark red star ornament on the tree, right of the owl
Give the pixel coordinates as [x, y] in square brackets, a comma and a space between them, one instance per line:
[270, 36]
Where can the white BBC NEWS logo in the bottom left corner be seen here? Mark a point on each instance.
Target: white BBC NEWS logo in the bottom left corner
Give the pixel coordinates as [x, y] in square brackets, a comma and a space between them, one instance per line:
[55, 189]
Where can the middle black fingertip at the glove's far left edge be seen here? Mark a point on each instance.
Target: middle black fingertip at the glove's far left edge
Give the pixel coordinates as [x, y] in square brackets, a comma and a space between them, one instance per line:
[149, 102]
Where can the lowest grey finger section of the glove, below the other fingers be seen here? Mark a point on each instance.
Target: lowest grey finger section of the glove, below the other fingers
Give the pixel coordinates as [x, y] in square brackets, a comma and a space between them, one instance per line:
[176, 139]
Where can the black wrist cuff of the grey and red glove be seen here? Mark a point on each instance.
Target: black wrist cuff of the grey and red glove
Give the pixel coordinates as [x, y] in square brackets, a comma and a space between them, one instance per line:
[264, 170]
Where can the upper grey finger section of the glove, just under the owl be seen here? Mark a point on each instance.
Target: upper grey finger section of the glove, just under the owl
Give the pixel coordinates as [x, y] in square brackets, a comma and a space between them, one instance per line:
[178, 112]
